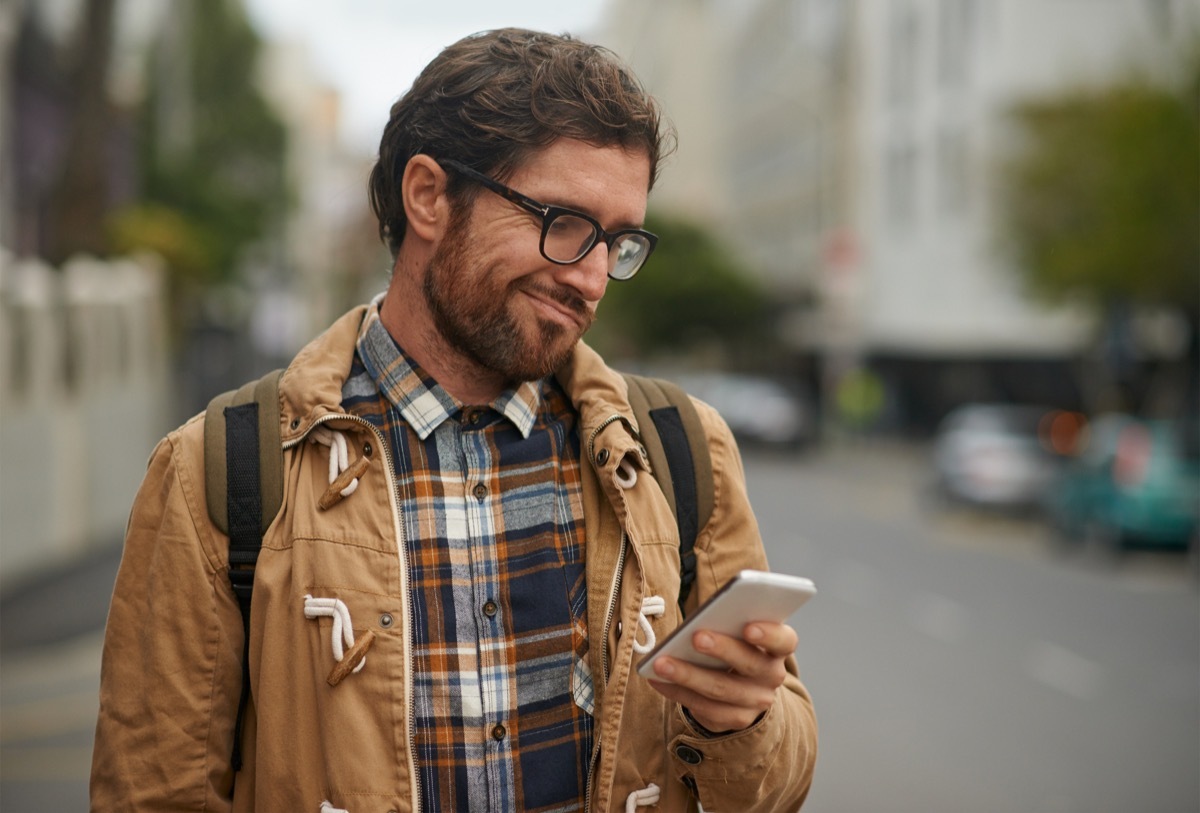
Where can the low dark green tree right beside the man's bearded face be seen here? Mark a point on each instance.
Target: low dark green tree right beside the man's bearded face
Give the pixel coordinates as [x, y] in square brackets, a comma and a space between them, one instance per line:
[691, 294]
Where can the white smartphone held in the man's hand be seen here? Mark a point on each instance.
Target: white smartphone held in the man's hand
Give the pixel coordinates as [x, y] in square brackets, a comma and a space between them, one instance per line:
[749, 597]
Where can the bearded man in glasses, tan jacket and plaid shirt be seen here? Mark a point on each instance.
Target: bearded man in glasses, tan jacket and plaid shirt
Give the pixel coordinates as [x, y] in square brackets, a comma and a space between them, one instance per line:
[451, 603]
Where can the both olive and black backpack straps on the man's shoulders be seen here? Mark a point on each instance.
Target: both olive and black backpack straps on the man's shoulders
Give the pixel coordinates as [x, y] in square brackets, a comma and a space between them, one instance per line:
[245, 490]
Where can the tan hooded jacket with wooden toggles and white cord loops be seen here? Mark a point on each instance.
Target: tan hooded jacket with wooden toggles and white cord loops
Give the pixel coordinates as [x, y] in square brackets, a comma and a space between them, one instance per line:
[172, 675]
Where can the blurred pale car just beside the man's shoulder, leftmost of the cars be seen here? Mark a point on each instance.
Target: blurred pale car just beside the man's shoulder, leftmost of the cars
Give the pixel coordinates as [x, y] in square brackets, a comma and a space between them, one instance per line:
[759, 411]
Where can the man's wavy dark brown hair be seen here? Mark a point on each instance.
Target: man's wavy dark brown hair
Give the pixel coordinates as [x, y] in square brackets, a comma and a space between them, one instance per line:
[494, 99]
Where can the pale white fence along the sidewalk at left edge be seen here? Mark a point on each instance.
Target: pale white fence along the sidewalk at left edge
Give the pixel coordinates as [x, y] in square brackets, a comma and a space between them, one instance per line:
[83, 400]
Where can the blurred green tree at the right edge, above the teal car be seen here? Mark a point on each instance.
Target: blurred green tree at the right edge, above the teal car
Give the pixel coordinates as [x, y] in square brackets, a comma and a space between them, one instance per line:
[1101, 196]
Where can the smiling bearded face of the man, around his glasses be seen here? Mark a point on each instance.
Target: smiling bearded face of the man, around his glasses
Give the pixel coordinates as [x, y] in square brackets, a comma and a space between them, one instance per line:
[495, 298]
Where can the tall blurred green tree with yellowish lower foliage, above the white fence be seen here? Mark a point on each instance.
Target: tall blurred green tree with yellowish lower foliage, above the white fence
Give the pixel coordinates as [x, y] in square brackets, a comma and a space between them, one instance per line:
[213, 150]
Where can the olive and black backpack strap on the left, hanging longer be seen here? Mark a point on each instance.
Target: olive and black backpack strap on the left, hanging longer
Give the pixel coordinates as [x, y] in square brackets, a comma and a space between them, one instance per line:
[244, 487]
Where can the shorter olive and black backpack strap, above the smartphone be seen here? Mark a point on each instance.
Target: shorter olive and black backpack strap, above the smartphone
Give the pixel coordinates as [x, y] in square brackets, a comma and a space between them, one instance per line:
[680, 459]
